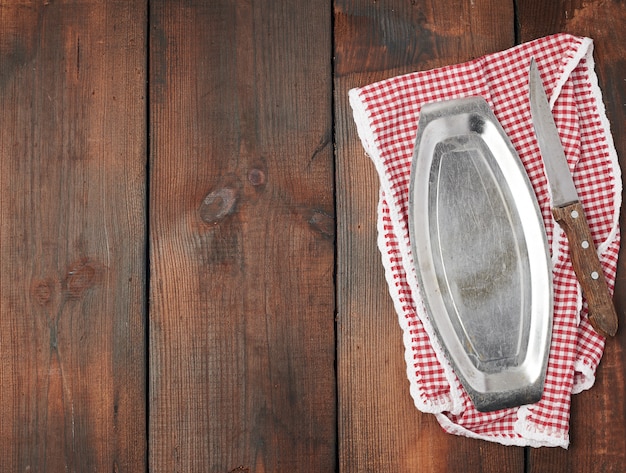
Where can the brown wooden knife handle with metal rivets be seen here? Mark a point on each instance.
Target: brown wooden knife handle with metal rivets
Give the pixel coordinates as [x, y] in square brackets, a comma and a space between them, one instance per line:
[584, 256]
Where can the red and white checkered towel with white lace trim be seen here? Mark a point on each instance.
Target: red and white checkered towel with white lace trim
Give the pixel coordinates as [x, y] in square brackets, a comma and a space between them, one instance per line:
[386, 114]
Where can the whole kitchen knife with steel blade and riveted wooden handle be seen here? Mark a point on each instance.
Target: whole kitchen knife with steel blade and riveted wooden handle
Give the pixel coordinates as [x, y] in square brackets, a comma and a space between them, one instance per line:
[568, 211]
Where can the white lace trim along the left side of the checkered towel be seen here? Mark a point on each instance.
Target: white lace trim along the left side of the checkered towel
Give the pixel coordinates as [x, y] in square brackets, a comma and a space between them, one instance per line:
[455, 405]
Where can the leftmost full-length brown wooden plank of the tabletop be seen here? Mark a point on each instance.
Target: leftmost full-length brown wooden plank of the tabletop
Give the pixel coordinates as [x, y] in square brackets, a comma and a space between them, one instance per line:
[72, 236]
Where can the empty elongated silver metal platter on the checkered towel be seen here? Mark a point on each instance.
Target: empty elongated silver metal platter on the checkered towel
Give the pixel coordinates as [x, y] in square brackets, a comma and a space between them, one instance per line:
[481, 253]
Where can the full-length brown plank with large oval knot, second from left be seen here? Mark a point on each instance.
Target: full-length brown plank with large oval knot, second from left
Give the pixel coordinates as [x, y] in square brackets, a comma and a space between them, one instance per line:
[242, 230]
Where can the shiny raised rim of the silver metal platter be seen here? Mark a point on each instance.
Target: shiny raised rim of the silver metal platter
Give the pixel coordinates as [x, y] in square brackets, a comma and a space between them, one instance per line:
[488, 391]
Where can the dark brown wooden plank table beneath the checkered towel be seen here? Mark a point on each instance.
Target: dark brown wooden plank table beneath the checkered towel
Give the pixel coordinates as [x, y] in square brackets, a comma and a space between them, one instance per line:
[190, 279]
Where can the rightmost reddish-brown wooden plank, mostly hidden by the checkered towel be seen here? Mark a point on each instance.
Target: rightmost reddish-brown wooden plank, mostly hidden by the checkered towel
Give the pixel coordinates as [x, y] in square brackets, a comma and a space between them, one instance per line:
[598, 416]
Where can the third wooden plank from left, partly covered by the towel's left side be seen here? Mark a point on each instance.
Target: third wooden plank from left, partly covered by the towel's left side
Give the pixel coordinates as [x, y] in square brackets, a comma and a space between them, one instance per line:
[379, 427]
